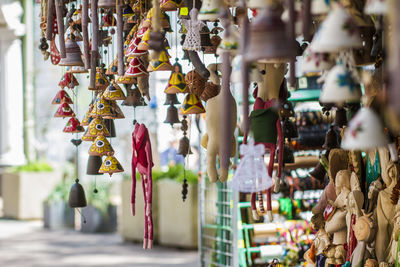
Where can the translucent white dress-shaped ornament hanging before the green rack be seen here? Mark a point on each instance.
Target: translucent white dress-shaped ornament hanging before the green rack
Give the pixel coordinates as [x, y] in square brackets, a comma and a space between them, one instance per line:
[251, 175]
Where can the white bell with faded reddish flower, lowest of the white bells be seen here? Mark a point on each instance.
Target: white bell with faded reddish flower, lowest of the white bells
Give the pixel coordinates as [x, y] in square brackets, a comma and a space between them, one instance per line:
[364, 132]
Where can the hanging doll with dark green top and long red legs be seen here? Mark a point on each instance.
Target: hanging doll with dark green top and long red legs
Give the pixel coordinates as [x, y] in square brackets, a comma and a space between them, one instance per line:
[266, 126]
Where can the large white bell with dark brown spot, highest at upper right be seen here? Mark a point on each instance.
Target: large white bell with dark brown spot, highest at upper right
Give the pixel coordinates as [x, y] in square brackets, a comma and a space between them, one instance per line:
[338, 32]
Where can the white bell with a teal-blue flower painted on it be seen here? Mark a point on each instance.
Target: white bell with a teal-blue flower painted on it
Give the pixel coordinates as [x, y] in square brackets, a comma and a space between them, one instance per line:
[340, 87]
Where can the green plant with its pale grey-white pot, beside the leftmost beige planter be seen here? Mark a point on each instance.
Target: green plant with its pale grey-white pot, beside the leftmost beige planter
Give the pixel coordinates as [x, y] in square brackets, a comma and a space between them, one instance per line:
[56, 212]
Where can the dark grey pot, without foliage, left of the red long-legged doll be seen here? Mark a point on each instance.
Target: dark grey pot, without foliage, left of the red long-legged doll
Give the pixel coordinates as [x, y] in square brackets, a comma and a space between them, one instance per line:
[98, 222]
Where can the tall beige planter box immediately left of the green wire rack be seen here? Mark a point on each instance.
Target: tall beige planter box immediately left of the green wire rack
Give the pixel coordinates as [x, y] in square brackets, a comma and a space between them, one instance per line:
[178, 220]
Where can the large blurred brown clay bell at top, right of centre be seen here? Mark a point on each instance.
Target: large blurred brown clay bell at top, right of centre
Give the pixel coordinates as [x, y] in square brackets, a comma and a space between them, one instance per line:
[268, 28]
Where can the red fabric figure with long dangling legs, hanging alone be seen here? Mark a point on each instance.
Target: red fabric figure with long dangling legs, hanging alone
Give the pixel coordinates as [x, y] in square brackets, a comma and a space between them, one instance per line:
[142, 161]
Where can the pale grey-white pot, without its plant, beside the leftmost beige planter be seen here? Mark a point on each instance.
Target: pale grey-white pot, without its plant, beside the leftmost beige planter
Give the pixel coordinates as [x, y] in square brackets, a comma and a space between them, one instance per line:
[58, 215]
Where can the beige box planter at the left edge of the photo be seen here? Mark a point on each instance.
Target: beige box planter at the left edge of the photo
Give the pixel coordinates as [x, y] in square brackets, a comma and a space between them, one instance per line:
[24, 193]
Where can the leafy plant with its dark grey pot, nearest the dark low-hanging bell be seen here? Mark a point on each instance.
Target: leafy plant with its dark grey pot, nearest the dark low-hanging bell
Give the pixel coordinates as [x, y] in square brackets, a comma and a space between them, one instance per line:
[100, 216]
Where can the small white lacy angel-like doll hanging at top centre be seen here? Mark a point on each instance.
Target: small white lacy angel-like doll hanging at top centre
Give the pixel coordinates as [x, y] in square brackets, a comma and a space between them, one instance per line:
[193, 26]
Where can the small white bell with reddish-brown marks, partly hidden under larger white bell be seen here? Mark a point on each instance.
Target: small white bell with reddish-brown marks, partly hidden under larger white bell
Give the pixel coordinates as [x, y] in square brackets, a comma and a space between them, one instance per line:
[316, 62]
